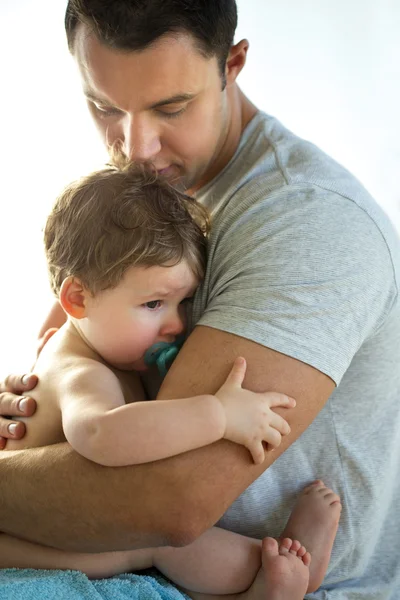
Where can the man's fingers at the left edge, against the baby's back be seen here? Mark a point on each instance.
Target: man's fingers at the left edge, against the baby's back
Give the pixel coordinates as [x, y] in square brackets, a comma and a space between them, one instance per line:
[15, 403]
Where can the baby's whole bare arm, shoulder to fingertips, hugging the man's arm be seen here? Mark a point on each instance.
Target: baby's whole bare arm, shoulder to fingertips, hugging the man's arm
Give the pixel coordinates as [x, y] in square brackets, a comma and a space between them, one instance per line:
[101, 427]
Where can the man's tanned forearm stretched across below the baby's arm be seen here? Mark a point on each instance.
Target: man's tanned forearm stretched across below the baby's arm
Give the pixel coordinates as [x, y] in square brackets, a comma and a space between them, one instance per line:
[55, 497]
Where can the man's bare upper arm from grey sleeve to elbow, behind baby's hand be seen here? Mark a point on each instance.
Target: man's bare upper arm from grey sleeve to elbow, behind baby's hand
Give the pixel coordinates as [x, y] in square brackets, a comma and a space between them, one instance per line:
[221, 472]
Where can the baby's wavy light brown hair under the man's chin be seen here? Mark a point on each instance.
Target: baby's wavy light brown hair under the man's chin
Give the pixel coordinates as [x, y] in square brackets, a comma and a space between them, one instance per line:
[119, 217]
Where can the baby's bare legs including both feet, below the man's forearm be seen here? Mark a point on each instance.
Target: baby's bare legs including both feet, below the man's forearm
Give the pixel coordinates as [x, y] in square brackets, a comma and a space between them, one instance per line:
[219, 562]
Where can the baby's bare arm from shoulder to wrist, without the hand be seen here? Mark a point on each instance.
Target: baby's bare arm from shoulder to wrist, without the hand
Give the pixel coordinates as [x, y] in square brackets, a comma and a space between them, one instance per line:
[100, 426]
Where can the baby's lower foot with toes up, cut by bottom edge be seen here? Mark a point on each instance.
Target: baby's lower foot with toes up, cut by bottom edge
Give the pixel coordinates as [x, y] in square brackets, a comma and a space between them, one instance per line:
[284, 573]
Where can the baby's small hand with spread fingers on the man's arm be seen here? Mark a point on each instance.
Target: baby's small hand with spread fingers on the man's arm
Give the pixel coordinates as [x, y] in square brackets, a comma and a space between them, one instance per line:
[249, 418]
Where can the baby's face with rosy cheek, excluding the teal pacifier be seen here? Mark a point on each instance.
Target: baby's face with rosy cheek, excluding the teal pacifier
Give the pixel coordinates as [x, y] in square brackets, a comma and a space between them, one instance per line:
[147, 307]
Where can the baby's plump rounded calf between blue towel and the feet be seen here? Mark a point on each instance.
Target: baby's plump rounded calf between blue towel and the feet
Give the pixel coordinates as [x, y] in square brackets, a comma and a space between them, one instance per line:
[218, 562]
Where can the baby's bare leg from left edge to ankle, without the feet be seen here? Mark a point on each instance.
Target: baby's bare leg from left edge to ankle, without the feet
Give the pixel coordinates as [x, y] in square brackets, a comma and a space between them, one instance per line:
[218, 561]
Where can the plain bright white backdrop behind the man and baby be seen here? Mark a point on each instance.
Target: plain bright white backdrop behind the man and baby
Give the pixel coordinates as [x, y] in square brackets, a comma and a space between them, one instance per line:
[329, 70]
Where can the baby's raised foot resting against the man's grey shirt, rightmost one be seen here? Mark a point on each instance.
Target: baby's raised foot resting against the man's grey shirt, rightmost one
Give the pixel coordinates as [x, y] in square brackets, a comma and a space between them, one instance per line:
[314, 521]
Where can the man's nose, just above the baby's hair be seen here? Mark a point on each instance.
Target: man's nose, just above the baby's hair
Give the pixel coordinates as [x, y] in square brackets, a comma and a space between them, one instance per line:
[141, 140]
